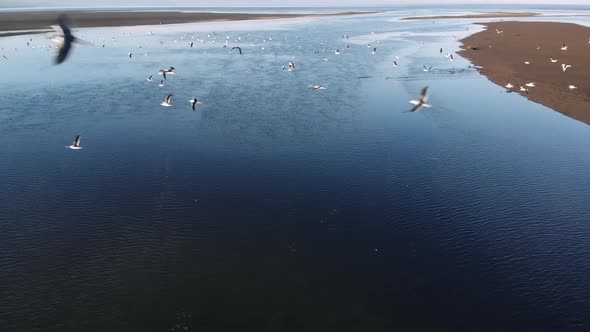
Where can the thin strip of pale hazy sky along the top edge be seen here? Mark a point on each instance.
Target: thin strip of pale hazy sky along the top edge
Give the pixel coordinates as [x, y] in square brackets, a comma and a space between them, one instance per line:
[269, 3]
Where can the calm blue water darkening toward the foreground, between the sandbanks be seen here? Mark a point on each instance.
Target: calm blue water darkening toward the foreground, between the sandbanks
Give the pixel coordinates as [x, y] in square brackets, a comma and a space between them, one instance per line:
[273, 208]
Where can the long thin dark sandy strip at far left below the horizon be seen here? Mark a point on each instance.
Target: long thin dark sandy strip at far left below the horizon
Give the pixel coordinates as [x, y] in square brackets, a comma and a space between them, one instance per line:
[10, 22]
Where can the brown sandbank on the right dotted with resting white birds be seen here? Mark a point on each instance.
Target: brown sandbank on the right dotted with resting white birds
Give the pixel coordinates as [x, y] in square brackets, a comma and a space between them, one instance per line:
[503, 56]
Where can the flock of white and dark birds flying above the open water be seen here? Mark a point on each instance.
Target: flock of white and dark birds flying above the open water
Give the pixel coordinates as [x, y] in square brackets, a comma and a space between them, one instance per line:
[65, 39]
